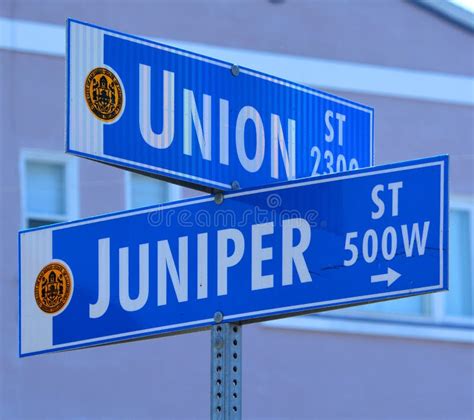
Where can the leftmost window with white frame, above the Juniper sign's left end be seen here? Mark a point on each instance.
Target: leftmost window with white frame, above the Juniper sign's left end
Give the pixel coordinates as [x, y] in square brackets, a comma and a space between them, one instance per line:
[49, 188]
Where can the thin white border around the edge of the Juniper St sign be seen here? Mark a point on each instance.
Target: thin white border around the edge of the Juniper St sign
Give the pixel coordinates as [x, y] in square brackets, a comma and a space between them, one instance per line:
[440, 161]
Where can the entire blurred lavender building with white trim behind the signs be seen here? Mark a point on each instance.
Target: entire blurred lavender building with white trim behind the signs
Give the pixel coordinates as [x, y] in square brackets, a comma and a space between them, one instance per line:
[413, 61]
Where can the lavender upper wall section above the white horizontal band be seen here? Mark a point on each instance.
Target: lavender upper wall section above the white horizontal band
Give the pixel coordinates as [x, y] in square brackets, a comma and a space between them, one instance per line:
[390, 33]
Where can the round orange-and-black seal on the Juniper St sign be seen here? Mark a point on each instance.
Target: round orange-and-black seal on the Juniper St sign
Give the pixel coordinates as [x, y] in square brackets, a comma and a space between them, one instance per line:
[53, 287]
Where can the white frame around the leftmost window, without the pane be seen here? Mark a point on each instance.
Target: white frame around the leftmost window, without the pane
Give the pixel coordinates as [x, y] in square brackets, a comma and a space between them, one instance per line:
[71, 166]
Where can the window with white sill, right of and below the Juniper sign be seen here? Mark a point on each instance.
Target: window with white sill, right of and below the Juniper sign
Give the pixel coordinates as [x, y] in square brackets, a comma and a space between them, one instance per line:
[448, 316]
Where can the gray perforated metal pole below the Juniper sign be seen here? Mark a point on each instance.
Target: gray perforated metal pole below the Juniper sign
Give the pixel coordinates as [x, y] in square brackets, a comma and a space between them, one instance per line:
[226, 371]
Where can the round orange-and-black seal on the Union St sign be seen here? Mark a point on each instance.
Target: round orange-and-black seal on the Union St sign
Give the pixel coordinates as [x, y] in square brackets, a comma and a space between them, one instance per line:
[103, 94]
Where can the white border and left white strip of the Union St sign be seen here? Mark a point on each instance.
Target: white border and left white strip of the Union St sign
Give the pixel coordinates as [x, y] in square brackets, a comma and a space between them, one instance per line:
[84, 135]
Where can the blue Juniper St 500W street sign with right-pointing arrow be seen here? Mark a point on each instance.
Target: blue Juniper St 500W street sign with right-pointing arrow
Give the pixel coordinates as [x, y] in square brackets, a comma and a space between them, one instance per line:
[336, 240]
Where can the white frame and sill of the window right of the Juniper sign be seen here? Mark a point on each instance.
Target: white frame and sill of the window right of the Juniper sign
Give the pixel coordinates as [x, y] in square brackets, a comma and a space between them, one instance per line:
[438, 326]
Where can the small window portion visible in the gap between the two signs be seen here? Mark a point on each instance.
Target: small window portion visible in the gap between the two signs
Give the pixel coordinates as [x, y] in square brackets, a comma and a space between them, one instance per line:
[142, 191]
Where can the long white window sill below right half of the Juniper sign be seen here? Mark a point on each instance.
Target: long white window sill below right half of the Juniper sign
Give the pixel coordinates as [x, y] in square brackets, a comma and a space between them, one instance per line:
[377, 327]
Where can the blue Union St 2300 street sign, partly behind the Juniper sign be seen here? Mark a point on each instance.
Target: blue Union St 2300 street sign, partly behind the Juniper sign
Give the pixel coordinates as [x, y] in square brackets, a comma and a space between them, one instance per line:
[199, 121]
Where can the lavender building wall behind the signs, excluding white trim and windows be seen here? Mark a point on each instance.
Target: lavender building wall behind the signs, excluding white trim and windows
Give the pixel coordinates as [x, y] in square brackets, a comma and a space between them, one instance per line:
[287, 373]
